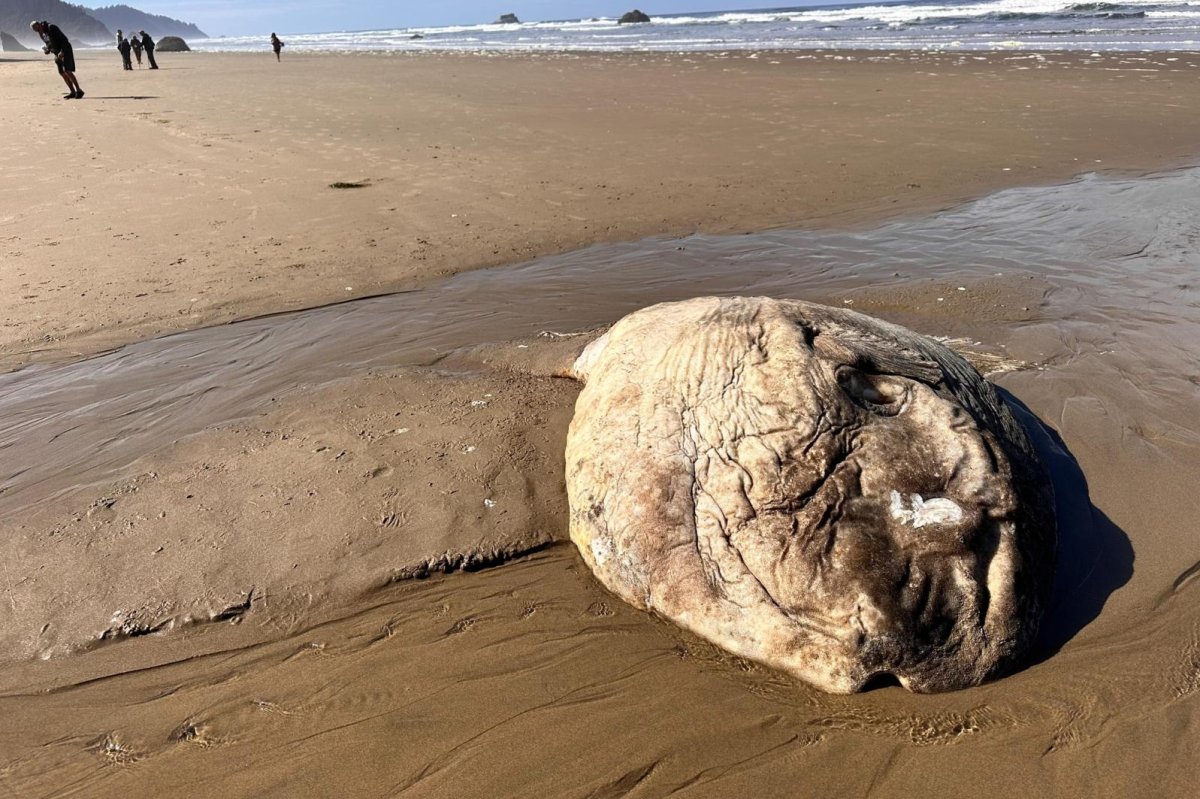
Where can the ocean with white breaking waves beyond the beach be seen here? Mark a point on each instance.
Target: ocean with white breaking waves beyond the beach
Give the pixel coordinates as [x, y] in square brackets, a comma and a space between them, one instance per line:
[1139, 26]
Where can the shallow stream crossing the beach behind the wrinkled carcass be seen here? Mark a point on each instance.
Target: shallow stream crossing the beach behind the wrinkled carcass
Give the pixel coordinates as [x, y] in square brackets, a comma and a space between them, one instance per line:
[1119, 256]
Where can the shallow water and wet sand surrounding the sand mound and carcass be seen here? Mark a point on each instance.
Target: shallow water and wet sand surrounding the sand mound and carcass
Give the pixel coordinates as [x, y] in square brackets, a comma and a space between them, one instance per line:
[1106, 273]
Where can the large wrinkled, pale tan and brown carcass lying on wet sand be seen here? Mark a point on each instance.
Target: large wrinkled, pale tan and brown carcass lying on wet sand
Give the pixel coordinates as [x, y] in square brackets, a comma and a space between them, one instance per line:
[812, 489]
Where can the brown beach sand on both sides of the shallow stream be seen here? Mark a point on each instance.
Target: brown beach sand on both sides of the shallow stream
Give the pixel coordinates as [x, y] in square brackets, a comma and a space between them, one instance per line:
[201, 195]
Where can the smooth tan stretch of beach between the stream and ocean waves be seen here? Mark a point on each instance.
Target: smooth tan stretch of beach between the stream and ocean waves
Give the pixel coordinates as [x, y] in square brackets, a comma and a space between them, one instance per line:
[494, 161]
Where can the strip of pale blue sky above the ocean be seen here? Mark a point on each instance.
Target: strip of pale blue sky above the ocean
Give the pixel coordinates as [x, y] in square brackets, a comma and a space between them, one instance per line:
[239, 17]
